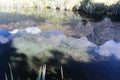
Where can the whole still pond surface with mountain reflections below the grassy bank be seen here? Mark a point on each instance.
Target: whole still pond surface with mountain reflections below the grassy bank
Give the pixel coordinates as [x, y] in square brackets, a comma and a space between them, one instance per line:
[95, 39]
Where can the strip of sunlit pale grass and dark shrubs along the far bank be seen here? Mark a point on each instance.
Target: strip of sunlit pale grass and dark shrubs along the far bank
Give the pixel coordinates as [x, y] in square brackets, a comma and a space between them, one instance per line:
[88, 6]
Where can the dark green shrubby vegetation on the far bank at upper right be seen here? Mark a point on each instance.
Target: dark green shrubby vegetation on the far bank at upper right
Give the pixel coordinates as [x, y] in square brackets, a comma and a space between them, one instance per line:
[92, 8]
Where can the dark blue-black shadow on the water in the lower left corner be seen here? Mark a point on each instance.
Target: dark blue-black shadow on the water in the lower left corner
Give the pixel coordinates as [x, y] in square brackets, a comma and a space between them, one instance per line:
[18, 61]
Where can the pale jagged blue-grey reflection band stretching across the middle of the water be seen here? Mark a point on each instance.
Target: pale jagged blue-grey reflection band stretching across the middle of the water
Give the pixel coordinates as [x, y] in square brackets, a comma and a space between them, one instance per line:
[55, 38]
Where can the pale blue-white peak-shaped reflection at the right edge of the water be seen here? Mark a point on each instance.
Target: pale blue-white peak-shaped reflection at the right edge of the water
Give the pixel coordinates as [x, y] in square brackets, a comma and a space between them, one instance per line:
[110, 48]
